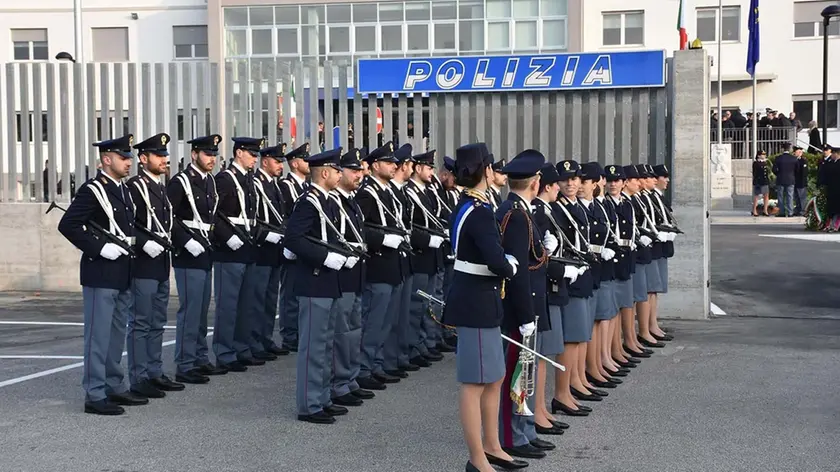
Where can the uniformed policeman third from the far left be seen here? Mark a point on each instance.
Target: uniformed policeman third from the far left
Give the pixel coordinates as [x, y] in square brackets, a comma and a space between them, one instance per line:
[192, 194]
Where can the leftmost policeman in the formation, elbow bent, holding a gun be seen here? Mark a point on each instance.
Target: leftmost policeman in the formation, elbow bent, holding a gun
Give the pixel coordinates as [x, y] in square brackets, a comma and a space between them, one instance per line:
[105, 275]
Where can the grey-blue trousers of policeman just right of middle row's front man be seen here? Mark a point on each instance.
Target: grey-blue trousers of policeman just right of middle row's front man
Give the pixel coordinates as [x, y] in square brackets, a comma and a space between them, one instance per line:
[347, 347]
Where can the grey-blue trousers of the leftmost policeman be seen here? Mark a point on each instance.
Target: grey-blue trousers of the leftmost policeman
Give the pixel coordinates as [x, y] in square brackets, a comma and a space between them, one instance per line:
[106, 313]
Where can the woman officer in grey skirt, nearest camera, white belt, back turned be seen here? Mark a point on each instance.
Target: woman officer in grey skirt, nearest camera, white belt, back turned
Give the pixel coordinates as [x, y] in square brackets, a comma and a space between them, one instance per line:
[474, 306]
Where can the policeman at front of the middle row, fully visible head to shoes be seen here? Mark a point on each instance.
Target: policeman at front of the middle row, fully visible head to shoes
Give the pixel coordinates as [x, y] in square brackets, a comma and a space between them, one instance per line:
[311, 229]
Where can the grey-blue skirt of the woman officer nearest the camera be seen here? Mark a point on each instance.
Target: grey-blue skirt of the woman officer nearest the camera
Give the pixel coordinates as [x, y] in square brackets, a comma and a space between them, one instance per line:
[480, 358]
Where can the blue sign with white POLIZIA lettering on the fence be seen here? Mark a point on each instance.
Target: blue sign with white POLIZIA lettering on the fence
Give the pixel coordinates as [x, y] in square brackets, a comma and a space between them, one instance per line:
[628, 69]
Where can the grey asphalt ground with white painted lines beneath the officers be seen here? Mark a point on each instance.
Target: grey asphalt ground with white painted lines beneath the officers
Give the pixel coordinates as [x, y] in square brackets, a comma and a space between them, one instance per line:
[752, 391]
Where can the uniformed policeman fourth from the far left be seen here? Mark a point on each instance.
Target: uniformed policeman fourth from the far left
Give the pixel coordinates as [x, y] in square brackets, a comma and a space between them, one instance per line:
[233, 259]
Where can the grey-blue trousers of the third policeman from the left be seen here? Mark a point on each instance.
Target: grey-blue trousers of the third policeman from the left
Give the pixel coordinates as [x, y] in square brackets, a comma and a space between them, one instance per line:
[194, 290]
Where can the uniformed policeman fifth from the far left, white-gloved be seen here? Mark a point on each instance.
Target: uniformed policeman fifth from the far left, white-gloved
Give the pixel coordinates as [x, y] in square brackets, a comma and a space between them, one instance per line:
[268, 253]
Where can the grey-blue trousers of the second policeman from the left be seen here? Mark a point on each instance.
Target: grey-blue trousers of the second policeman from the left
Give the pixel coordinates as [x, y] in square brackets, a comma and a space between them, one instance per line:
[145, 329]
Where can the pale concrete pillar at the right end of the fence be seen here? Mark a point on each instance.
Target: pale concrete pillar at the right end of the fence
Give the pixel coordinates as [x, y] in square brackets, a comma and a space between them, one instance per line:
[688, 285]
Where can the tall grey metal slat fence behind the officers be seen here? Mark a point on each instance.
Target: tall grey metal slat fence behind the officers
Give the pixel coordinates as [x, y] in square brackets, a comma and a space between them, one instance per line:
[70, 106]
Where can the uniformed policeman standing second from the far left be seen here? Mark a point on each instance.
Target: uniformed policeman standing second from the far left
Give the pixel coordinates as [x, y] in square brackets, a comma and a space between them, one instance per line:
[153, 220]
